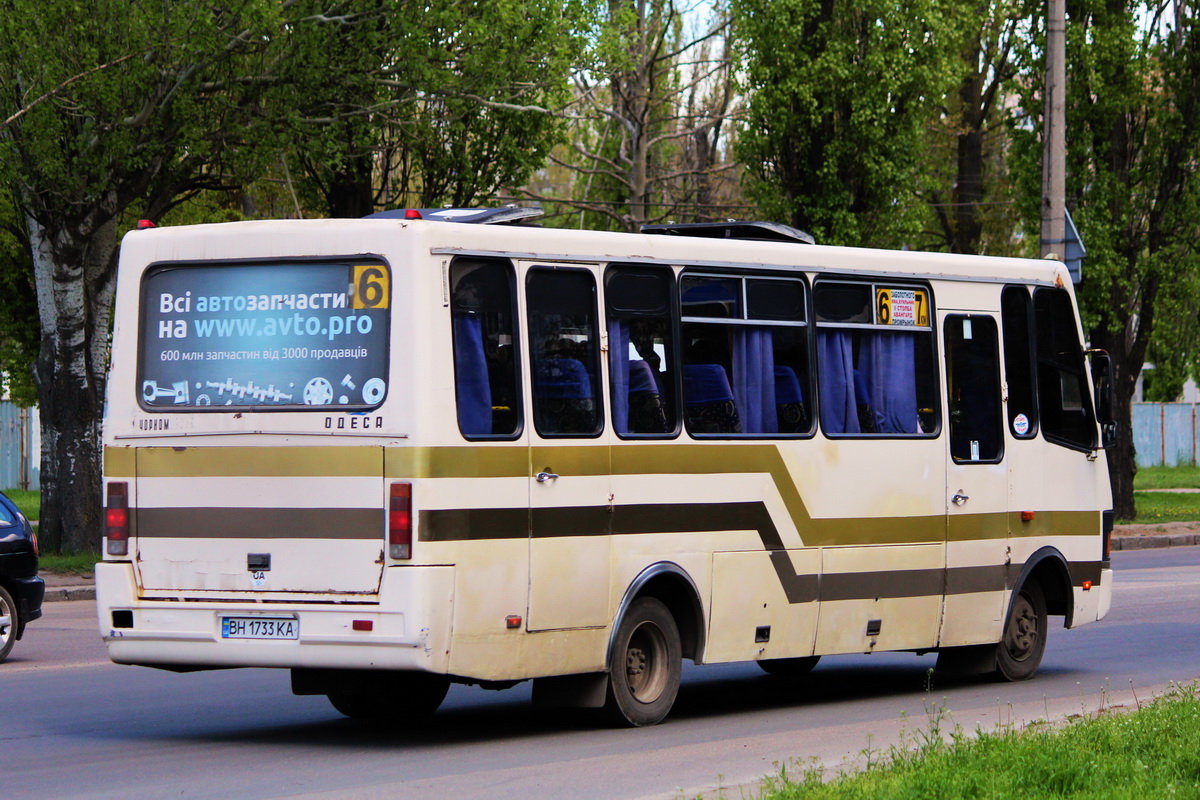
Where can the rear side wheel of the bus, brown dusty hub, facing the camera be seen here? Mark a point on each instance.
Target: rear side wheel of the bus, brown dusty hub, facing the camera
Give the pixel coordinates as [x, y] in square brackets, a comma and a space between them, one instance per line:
[645, 665]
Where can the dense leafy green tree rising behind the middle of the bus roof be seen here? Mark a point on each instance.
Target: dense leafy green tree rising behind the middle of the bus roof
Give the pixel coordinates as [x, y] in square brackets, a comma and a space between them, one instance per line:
[841, 94]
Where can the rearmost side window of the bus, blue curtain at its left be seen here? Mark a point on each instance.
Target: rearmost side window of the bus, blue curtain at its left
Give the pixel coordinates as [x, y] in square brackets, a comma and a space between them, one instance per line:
[483, 312]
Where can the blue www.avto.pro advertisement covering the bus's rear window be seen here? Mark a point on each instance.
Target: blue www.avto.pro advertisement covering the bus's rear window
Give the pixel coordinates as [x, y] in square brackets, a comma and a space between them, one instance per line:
[287, 336]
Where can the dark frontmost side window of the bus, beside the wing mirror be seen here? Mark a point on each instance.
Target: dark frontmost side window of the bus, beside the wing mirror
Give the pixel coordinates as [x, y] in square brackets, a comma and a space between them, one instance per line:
[1064, 389]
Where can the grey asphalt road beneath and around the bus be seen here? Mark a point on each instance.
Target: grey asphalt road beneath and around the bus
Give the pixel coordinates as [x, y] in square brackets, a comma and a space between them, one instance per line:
[75, 726]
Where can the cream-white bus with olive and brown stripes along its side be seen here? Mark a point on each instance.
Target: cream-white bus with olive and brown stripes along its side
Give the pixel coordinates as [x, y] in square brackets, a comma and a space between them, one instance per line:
[453, 447]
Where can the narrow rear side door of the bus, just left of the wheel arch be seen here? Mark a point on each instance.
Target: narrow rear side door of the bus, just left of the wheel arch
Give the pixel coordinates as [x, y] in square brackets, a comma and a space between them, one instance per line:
[569, 483]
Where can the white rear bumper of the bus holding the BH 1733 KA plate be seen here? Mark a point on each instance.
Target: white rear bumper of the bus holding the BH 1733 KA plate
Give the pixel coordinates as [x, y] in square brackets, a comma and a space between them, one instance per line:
[406, 628]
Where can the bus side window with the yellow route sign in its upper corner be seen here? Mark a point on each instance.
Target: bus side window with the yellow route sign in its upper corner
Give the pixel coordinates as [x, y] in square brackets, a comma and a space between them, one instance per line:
[875, 359]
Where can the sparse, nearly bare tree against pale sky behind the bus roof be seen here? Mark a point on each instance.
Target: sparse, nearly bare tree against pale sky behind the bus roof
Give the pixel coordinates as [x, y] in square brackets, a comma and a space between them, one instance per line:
[651, 122]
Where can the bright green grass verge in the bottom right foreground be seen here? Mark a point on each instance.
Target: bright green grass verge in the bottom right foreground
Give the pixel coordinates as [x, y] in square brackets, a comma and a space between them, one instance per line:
[1154, 753]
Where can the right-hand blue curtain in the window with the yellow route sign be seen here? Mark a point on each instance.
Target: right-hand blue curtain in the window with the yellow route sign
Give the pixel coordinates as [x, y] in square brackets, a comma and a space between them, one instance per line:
[889, 365]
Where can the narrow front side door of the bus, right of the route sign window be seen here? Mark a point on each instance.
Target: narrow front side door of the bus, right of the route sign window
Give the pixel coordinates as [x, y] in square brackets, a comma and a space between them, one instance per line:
[977, 482]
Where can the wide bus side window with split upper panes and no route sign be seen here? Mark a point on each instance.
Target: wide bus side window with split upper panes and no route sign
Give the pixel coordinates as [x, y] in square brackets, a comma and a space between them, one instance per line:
[746, 356]
